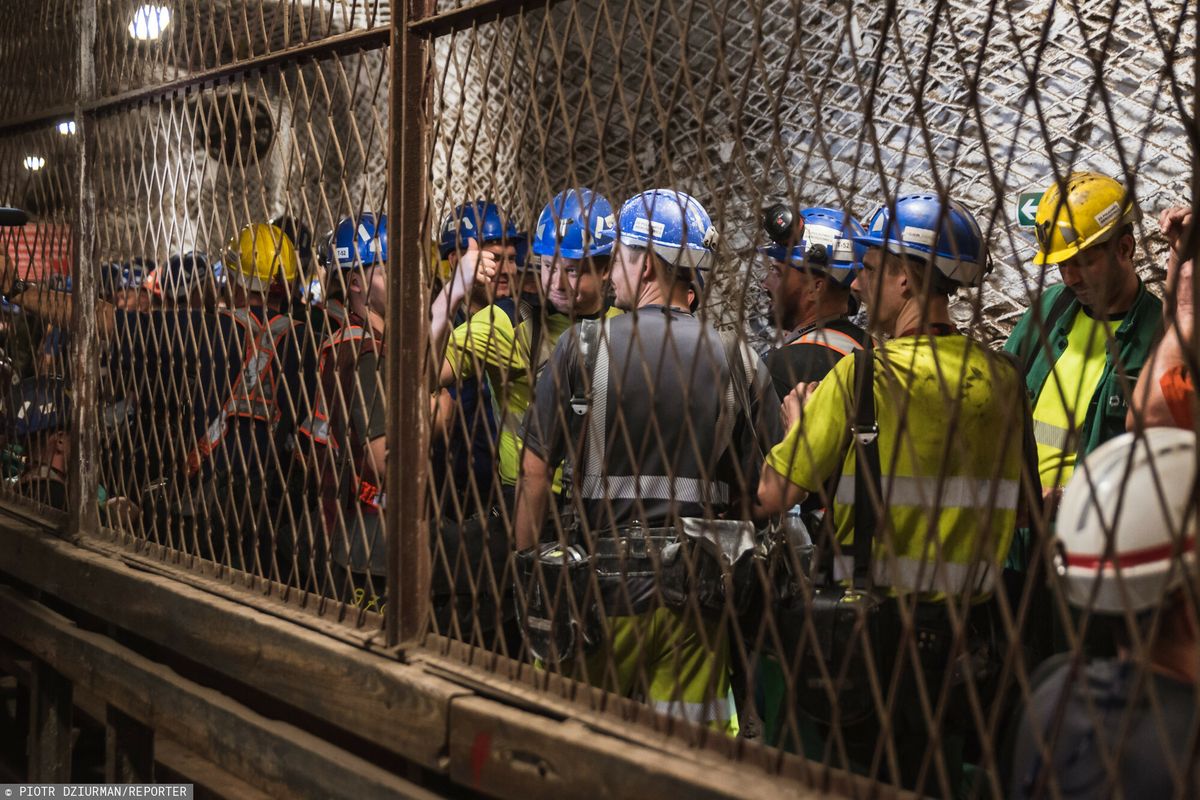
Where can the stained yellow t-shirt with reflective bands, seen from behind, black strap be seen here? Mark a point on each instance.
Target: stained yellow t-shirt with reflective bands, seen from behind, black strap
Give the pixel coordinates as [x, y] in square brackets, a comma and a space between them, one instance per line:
[952, 419]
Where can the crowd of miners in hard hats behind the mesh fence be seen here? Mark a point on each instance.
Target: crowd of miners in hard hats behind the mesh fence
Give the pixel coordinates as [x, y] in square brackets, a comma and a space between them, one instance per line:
[844, 544]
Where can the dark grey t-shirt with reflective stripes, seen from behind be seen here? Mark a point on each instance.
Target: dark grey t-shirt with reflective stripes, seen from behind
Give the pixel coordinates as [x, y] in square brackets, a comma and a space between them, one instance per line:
[675, 442]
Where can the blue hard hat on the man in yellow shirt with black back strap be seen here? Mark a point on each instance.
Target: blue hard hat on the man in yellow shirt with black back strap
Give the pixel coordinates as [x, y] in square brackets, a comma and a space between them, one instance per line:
[935, 231]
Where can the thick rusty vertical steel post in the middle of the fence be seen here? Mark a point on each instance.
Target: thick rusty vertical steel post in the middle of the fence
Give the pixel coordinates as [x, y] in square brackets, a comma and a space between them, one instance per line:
[409, 398]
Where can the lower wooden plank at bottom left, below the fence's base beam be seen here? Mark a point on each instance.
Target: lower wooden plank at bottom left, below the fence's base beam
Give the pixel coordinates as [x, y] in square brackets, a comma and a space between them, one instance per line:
[274, 756]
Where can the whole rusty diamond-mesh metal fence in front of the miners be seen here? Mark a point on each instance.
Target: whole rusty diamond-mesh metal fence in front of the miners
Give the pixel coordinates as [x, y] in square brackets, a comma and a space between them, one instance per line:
[729, 370]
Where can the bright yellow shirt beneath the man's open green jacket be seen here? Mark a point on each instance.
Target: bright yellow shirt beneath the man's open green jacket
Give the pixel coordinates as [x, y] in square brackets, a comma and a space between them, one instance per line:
[1061, 407]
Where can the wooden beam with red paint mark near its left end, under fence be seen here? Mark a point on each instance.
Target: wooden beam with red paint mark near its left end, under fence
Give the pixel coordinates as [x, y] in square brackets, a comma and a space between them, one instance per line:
[512, 754]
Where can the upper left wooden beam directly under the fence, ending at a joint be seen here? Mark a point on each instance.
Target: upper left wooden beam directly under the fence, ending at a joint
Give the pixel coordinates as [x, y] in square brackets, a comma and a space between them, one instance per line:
[371, 695]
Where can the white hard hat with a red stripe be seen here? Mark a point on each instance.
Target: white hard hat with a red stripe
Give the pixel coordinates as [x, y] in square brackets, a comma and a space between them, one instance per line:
[1126, 530]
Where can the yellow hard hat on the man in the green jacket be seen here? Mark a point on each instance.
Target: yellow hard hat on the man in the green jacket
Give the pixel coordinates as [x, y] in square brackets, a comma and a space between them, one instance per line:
[1096, 208]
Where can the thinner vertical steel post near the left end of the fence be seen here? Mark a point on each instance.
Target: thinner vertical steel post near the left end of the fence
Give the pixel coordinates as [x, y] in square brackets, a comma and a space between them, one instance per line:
[82, 471]
